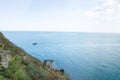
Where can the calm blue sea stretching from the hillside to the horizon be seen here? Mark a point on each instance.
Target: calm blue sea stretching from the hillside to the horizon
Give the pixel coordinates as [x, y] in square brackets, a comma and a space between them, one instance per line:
[84, 56]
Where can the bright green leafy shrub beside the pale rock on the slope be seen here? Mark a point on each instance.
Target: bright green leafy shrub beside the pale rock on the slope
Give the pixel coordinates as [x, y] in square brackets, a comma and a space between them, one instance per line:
[15, 69]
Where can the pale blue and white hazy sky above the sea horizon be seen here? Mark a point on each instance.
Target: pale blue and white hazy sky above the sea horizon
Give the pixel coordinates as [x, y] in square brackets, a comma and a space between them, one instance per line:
[60, 15]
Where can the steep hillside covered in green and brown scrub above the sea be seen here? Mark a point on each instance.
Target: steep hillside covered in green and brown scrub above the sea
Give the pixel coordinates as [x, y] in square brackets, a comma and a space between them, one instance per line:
[16, 64]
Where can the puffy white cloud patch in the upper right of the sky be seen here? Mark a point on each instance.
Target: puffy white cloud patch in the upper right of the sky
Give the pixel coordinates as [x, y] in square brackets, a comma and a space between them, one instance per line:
[105, 8]
